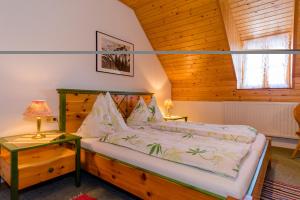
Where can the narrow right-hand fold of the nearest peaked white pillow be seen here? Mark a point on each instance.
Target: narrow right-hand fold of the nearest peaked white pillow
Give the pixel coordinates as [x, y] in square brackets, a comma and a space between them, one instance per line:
[116, 117]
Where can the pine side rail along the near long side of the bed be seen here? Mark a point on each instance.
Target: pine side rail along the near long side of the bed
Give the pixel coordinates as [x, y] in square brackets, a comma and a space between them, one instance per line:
[140, 182]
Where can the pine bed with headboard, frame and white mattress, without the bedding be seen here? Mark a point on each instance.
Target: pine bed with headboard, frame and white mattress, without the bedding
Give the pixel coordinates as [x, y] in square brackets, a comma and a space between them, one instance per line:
[149, 177]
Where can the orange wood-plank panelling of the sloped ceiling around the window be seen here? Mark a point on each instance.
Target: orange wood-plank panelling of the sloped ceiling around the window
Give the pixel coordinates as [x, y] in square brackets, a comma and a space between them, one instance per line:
[198, 25]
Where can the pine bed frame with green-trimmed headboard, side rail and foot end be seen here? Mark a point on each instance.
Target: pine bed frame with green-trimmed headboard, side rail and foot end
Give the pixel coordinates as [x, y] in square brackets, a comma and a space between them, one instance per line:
[75, 106]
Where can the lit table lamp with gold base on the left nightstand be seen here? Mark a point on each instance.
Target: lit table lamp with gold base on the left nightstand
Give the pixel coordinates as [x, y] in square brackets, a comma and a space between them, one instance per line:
[38, 109]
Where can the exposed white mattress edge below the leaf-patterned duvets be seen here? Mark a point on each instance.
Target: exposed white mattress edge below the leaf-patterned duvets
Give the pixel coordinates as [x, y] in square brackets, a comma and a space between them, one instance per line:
[201, 179]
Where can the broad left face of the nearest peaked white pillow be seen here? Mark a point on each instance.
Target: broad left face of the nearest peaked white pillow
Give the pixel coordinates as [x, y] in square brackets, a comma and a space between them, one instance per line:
[99, 120]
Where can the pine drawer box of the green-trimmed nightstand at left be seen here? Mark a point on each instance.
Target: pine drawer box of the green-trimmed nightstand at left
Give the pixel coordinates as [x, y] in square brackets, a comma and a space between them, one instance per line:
[38, 165]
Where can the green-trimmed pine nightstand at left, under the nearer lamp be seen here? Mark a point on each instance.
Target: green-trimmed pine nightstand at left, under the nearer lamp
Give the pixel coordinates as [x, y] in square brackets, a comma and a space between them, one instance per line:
[25, 161]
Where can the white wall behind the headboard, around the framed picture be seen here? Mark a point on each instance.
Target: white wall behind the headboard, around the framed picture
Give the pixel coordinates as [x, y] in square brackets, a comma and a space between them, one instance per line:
[66, 25]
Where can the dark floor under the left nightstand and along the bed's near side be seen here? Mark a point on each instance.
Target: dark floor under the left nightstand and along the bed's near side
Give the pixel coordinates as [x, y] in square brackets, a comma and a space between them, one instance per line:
[64, 189]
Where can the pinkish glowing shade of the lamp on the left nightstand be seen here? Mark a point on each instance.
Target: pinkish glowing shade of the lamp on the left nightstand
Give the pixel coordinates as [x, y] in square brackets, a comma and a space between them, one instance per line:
[38, 108]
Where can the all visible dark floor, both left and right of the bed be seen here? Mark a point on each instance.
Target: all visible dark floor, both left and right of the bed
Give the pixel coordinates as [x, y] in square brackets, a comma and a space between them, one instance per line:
[283, 169]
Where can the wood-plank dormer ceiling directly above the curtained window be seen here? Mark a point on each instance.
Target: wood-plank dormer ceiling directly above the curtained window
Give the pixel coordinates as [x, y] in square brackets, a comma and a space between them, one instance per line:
[258, 18]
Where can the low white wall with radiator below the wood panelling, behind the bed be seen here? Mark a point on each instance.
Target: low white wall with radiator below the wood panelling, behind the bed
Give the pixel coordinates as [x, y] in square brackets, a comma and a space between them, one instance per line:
[273, 119]
